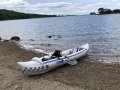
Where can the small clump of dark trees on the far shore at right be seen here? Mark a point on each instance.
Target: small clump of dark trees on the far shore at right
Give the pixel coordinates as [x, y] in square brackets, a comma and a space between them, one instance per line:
[108, 11]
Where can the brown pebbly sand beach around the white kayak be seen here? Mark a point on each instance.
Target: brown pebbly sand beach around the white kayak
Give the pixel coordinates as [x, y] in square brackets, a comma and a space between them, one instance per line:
[86, 75]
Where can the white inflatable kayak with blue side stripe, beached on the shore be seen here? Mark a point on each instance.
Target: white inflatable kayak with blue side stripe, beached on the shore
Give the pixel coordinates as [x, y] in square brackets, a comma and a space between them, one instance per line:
[37, 66]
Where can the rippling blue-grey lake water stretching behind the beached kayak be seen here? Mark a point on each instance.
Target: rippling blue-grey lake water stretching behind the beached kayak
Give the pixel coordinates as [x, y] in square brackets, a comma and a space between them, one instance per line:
[102, 32]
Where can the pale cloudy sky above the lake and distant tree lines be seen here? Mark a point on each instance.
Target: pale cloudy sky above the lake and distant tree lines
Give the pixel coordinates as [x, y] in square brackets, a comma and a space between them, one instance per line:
[59, 7]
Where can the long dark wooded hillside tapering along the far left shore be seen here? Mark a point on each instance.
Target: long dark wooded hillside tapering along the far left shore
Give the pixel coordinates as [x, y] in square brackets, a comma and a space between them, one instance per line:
[10, 14]
